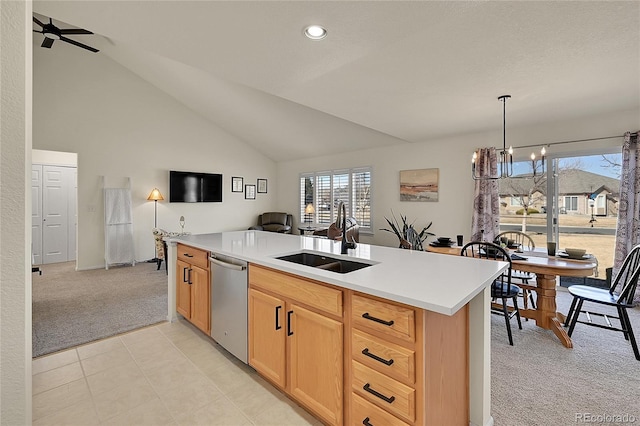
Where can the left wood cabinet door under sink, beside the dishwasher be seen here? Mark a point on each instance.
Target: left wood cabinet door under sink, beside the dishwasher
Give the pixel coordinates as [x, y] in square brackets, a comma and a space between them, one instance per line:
[267, 336]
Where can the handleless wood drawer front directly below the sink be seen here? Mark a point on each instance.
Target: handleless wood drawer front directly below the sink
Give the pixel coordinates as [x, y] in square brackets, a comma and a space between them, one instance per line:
[318, 296]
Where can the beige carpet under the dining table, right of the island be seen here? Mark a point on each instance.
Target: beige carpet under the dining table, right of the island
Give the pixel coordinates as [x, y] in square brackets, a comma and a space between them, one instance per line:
[540, 382]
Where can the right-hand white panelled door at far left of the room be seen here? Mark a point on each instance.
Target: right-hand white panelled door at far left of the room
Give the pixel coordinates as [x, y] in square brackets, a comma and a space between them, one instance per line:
[55, 221]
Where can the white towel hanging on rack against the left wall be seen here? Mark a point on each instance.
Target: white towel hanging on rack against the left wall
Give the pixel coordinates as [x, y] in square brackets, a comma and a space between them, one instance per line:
[118, 215]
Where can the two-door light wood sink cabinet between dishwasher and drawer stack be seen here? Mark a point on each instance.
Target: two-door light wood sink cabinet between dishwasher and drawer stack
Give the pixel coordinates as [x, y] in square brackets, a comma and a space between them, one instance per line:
[296, 339]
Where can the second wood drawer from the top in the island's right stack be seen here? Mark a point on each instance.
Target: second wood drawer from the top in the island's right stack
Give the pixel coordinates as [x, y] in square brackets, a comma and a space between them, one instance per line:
[386, 357]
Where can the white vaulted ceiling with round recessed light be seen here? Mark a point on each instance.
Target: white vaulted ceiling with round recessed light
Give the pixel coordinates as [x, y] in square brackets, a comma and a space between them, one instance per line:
[387, 73]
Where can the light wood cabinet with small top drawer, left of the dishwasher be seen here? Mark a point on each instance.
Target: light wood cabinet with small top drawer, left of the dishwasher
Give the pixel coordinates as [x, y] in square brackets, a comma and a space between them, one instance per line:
[193, 286]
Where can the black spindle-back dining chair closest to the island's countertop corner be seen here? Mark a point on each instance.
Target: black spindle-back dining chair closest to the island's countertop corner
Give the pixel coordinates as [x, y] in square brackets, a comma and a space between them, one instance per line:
[502, 288]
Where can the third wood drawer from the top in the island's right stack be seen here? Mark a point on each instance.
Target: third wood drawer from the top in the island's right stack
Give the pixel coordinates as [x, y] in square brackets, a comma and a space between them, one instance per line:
[383, 391]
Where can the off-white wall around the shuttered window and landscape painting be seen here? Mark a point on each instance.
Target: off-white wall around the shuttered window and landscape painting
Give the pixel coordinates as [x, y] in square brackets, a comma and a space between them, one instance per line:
[451, 215]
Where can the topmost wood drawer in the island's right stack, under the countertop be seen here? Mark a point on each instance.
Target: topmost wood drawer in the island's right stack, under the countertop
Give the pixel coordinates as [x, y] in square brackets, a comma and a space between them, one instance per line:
[391, 319]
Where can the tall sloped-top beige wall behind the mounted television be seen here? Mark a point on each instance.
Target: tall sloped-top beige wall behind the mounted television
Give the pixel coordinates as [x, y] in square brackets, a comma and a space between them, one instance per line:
[120, 125]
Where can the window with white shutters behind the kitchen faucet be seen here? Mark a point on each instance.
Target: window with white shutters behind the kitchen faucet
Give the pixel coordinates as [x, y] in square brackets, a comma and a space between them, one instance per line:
[325, 190]
